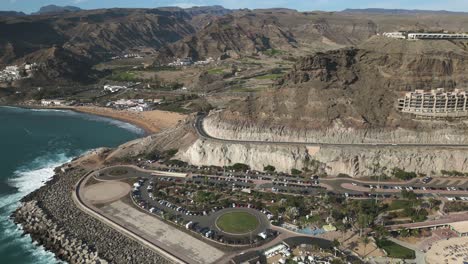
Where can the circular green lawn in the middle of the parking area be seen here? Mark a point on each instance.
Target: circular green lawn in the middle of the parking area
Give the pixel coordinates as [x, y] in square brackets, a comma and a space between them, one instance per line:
[237, 222]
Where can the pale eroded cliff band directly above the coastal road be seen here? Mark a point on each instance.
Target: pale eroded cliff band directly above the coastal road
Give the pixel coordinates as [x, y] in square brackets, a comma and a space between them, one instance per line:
[238, 128]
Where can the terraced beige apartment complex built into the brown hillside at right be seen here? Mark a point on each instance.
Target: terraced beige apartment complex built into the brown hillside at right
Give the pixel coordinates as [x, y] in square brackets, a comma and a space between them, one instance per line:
[435, 103]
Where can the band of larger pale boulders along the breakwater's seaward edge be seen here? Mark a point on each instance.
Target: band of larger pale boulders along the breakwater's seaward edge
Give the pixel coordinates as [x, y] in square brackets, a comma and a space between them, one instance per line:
[52, 237]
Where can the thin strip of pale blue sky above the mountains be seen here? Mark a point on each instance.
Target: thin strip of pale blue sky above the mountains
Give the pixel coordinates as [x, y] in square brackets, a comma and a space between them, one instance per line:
[29, 6]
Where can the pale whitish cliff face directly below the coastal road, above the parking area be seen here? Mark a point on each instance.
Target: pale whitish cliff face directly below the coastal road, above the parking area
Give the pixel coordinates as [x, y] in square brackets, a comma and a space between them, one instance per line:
[354, 161]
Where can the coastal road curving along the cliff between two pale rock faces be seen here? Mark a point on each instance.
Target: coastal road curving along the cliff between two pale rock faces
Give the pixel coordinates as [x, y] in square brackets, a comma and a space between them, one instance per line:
[198, 125]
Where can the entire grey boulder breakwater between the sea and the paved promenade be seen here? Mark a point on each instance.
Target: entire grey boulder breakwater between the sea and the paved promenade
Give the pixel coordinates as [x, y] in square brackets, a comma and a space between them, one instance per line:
[52, 218]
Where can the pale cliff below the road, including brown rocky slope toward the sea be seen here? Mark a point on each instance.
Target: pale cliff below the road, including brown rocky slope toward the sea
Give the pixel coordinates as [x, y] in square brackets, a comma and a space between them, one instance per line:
[356, 161]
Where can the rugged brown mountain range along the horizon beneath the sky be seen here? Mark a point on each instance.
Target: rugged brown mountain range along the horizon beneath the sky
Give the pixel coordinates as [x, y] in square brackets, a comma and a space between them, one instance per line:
[69, 41]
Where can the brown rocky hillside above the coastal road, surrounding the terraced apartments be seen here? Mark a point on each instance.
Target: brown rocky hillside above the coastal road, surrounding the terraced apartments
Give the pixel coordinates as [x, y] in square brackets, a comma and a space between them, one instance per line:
[350, 95]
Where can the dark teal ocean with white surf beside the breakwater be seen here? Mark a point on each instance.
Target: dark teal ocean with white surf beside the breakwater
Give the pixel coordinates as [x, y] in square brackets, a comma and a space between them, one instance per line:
[32, 143]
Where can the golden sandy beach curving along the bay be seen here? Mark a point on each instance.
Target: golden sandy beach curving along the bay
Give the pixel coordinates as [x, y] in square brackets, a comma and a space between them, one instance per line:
[151, 121]
